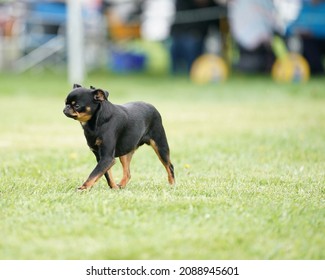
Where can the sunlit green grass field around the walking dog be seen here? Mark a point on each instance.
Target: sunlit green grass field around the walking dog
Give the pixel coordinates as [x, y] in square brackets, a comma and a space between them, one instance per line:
[249, 157]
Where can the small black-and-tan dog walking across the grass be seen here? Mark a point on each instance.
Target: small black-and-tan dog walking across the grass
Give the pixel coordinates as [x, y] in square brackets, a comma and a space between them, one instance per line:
[116, 131]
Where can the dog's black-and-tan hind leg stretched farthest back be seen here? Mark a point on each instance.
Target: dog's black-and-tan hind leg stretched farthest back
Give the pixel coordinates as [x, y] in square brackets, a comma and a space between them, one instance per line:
[161, 148]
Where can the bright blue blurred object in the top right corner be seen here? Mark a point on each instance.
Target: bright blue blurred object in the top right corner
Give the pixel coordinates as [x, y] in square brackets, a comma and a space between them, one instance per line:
[311, 21]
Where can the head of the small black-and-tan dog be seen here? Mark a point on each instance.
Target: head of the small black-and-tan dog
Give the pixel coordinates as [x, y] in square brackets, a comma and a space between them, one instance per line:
[82, 103]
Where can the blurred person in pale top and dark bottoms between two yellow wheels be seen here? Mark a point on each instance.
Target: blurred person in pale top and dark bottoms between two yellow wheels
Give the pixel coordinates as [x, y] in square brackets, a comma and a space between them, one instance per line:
[253, 23]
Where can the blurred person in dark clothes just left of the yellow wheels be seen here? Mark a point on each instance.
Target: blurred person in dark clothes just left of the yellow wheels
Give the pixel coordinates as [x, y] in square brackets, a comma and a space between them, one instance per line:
[188, 33]
